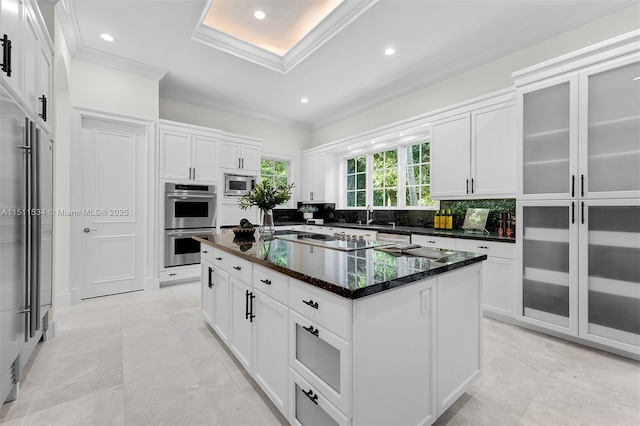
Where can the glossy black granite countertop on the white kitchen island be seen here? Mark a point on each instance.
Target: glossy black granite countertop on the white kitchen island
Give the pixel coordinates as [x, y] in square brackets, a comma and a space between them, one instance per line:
[352, 274]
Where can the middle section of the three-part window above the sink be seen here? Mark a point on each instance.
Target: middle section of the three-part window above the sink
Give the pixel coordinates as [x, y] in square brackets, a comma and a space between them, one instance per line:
[385, 178]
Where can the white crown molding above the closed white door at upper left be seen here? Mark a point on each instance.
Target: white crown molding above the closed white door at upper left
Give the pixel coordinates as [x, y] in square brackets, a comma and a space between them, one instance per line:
[69, 24]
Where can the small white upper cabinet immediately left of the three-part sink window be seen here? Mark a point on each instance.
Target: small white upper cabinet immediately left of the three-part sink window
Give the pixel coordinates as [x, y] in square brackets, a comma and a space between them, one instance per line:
[318, 175]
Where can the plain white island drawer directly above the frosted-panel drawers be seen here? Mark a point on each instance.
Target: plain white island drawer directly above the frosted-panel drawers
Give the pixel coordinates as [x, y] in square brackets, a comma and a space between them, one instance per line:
[322, 307]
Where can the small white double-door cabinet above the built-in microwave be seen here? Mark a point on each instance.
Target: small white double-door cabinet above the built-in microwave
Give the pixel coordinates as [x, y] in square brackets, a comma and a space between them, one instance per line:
[238, 152]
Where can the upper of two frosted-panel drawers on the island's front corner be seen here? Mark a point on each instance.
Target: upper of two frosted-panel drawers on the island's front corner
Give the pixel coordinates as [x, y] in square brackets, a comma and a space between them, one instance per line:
[321, 358]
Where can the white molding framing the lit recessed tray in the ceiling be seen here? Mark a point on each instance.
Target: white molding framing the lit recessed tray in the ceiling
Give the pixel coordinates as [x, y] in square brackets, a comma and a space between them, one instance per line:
[335, 22]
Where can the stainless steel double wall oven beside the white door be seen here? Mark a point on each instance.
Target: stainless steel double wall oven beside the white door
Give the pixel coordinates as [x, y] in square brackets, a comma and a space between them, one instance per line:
[189, 210]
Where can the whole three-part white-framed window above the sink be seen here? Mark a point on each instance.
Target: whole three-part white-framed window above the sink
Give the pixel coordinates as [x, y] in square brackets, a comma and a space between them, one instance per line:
[392, 173]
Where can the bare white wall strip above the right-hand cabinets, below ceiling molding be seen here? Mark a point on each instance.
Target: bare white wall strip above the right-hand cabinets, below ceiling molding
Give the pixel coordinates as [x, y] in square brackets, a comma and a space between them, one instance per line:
[484, 79]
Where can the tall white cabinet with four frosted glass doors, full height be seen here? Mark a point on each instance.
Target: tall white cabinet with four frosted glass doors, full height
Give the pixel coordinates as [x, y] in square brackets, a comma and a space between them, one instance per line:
[578, 190]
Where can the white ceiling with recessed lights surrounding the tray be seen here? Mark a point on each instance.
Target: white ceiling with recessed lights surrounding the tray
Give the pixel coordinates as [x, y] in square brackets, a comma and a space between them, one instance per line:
[341, 68]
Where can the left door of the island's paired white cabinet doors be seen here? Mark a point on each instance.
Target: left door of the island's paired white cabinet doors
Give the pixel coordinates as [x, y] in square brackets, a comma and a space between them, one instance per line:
[240, 338]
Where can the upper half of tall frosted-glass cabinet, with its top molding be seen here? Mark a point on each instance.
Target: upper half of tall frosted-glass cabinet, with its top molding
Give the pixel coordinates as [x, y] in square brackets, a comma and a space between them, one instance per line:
[580, 124]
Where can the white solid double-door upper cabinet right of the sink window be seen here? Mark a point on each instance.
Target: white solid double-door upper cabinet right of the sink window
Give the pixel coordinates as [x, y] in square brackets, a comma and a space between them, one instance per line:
[473, 153]
